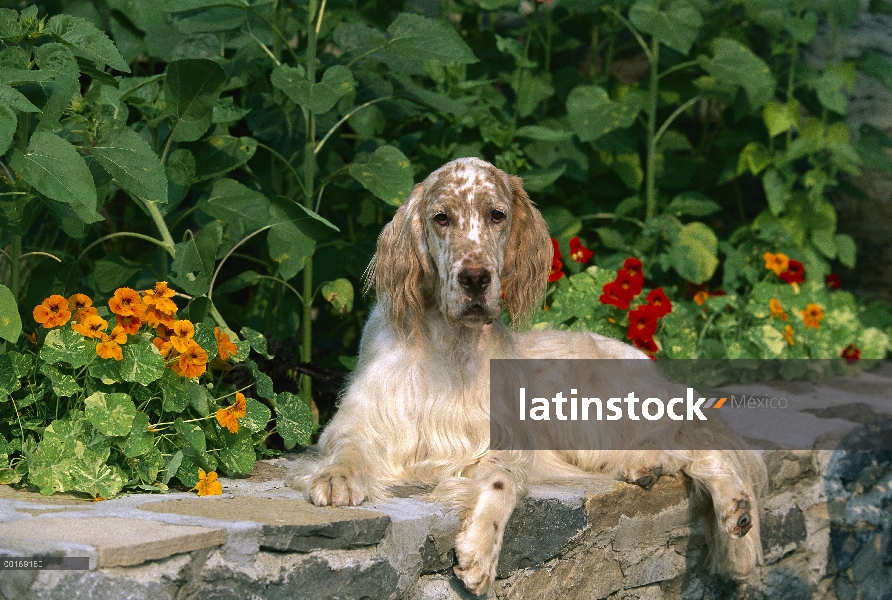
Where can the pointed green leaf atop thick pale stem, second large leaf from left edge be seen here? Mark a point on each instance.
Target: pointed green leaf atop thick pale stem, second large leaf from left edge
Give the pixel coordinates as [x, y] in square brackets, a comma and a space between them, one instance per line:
[130, 160]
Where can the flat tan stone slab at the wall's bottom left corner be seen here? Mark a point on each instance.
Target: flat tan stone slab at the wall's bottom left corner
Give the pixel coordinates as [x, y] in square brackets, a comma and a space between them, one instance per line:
[119, 542]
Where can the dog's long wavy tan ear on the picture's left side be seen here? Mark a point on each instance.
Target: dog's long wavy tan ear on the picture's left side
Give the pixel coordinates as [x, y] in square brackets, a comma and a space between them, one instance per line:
[400, 266]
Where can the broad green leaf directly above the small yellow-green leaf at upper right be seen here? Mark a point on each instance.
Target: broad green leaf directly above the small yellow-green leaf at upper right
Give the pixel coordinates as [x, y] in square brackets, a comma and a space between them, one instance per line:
[735, 64]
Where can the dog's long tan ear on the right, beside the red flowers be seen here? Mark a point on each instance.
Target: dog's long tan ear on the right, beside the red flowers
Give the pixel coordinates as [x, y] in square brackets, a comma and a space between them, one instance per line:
[527, 257]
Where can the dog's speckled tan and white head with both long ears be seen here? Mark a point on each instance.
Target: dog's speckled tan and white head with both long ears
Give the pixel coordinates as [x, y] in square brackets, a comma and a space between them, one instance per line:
[466, 240]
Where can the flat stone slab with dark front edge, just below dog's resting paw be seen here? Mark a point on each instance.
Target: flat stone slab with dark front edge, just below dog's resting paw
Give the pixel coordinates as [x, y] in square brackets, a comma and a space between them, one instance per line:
[288, 525]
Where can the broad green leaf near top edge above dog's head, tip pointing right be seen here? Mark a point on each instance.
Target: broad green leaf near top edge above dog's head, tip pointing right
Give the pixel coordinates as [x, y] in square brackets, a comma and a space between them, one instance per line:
[419, 38]
